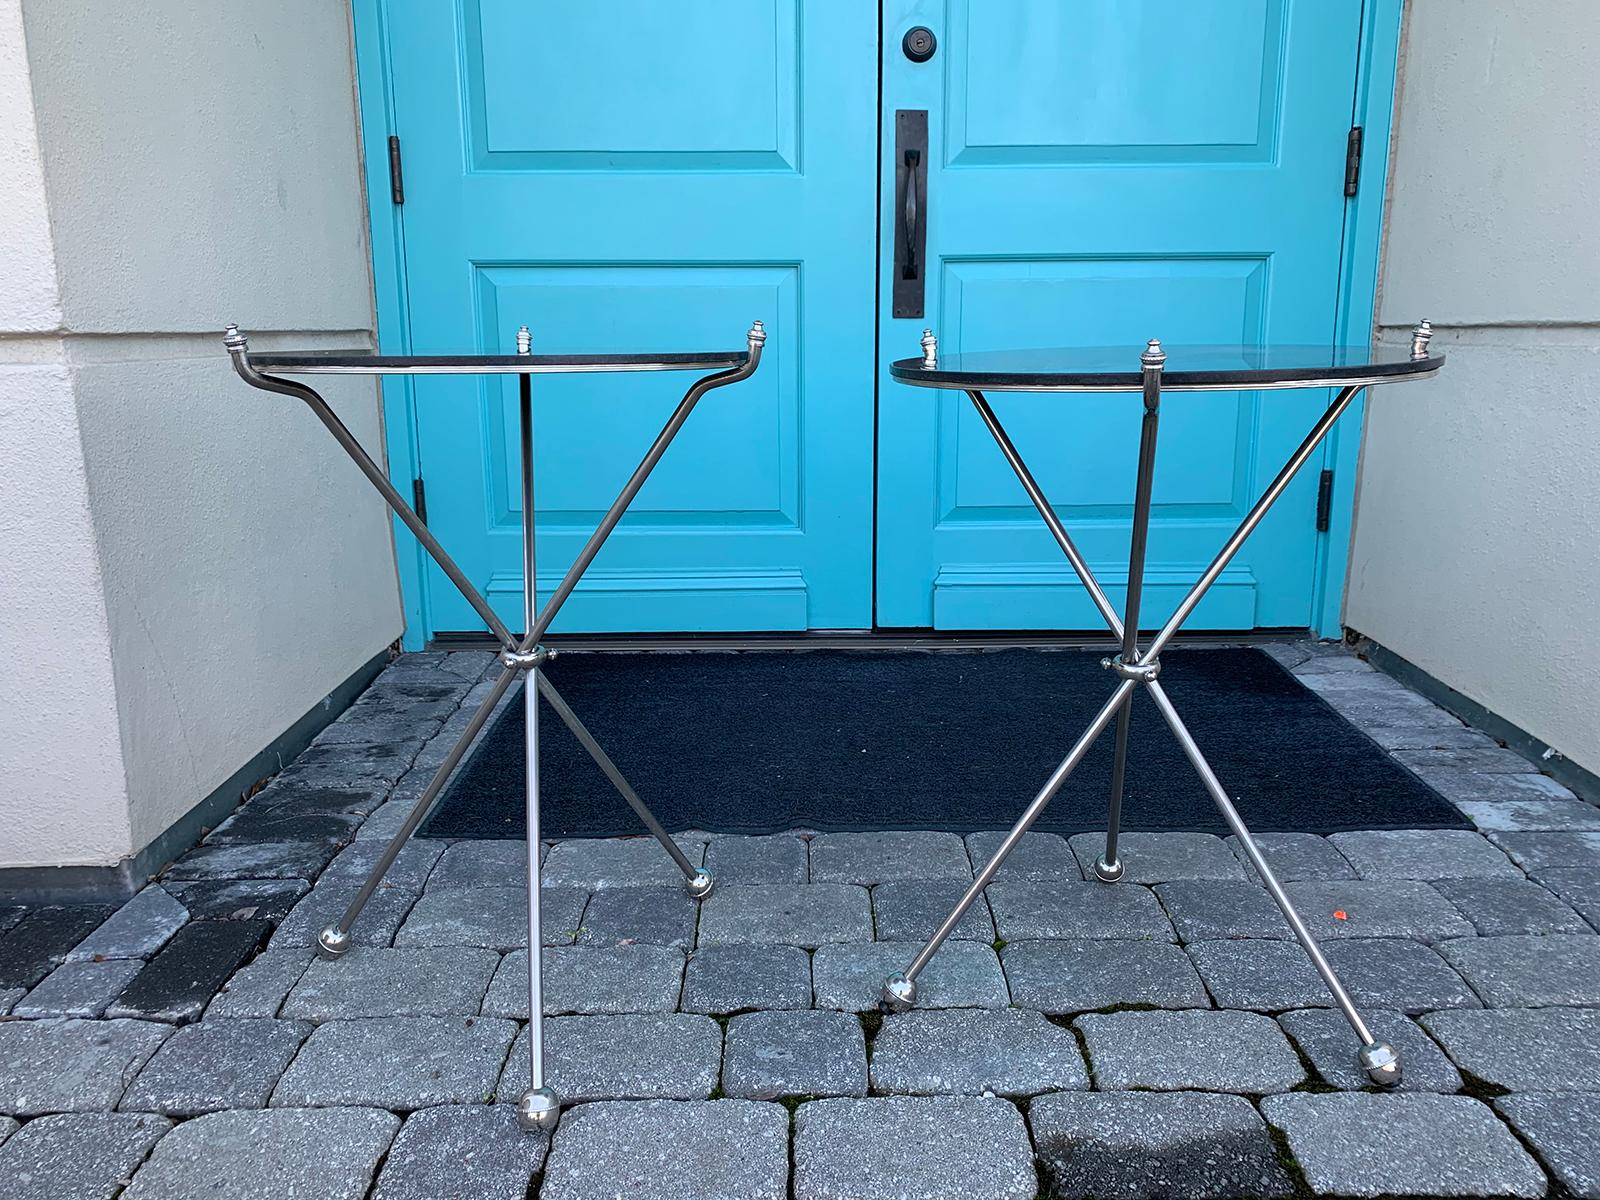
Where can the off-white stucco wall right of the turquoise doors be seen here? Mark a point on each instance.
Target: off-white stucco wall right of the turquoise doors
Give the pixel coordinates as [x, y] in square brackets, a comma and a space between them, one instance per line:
[1478, 538]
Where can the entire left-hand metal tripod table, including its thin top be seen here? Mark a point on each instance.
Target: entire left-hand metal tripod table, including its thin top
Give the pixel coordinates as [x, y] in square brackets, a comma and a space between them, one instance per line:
[540, 1106]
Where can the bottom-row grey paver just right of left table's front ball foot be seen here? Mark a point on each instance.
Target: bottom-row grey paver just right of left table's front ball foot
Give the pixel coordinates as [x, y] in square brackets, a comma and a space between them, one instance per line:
[662, 1150]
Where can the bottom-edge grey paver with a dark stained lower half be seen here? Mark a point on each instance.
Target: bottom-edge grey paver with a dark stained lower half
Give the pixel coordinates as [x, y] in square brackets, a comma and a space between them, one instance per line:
[1130, 1146]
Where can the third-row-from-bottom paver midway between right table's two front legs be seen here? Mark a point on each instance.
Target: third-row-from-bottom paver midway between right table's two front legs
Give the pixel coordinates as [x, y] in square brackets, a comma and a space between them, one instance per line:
[1078, 977]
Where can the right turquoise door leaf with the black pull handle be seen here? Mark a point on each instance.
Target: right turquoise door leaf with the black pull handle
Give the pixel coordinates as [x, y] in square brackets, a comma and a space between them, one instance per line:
[1103, 174]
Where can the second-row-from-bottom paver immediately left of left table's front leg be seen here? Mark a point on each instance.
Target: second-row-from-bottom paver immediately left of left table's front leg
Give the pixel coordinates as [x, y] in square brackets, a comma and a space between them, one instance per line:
[398, 1063]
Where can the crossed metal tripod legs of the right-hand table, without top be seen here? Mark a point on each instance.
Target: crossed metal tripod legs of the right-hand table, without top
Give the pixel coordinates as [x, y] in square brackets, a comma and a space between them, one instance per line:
[1140, 670]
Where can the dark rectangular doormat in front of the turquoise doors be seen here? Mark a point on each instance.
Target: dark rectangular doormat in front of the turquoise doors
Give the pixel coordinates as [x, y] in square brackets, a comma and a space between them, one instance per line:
[836, 740]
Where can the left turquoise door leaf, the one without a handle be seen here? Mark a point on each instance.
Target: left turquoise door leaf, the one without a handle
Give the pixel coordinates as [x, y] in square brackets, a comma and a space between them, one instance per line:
[639, 177]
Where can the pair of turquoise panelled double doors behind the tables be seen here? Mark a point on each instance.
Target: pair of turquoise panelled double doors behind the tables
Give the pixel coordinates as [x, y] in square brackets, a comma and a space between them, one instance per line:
[636, 177]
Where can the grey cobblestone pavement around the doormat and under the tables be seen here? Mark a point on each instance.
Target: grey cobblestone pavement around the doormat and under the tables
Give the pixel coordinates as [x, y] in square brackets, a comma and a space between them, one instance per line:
[1162, 1038]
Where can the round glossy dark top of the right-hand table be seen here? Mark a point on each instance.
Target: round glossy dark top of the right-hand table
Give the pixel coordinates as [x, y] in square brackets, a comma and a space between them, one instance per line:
[1188, 369]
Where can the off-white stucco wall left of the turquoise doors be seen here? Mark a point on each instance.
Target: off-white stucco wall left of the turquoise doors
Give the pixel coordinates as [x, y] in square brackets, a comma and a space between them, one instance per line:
[201, 166]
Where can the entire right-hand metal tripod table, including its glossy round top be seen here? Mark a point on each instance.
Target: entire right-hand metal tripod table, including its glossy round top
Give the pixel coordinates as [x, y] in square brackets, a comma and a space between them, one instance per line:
[1201, 369]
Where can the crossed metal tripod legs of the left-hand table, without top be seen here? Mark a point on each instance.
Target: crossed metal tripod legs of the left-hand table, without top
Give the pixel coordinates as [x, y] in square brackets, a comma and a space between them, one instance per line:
[538, 1108]
